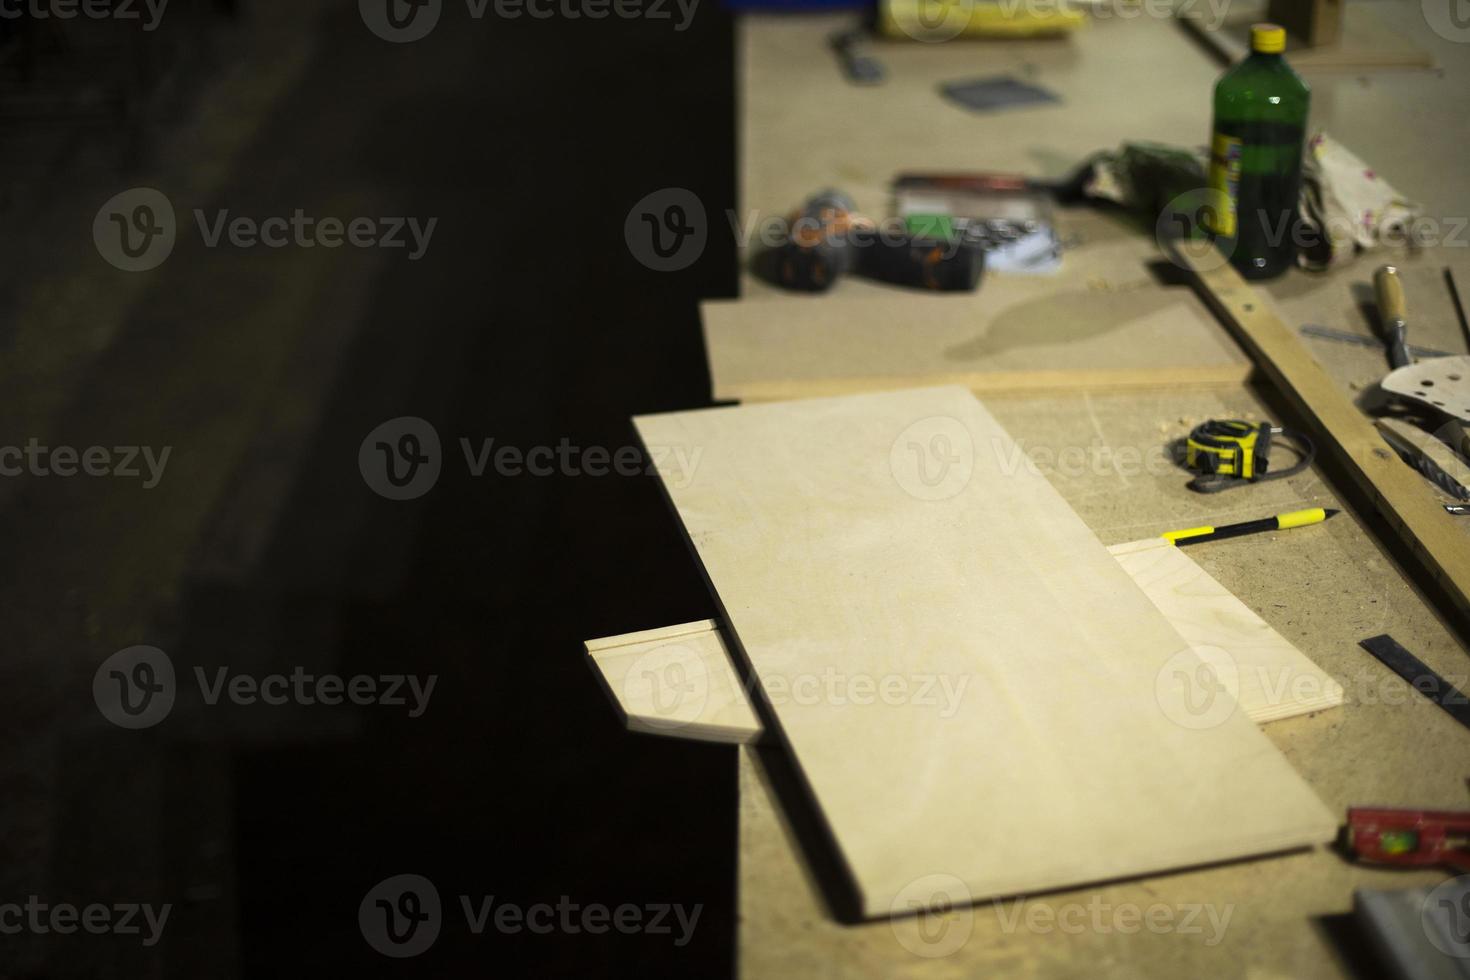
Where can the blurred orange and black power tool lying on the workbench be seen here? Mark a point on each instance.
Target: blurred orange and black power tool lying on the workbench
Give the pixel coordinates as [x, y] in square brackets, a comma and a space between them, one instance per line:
[830, 239]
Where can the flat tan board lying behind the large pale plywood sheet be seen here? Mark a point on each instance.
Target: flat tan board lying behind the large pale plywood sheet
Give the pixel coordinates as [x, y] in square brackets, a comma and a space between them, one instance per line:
[1015, 336]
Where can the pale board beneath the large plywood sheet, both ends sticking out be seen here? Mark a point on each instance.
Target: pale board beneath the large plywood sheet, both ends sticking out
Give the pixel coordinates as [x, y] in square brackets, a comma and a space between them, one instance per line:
[681, 682]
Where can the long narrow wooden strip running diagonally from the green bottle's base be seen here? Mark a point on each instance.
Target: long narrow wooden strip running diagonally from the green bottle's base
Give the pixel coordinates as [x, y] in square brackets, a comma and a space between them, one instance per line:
[1397, 491]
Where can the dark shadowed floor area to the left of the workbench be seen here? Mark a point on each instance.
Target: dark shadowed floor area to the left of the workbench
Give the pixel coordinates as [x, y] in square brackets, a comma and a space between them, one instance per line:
[528, 321]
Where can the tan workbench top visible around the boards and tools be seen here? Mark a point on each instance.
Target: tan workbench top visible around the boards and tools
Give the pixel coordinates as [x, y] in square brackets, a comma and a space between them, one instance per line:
[1140, 79]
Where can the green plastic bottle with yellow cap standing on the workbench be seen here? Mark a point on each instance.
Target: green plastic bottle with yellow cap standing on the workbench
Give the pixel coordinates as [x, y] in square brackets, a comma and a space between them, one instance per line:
[1261, 123]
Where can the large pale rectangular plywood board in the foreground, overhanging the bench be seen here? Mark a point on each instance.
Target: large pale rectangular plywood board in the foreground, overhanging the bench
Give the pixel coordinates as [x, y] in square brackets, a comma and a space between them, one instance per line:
[1037, 727]
